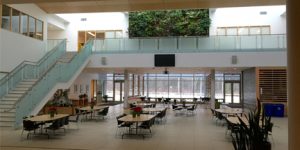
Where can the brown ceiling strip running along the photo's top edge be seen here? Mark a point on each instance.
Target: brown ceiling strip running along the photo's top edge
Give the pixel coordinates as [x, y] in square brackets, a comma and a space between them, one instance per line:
[82, 6]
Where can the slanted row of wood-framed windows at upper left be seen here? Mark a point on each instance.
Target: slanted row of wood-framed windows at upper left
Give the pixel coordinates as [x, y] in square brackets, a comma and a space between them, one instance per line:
[16, 21]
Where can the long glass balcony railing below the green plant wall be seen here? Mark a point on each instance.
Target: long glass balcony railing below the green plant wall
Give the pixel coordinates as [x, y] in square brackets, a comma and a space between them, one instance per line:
[192, 44]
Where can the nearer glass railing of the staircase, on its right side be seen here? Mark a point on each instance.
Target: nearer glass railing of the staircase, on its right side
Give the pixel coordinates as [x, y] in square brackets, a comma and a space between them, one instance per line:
[61, 71]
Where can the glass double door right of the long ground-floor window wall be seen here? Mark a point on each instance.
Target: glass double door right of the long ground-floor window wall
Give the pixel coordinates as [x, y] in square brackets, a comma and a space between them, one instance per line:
[232, 92]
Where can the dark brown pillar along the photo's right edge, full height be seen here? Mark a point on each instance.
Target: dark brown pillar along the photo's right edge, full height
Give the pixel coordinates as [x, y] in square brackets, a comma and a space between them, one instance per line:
[293, 46]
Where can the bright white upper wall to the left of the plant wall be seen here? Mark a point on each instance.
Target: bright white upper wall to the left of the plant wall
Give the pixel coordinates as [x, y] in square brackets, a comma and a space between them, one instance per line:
[94, 21]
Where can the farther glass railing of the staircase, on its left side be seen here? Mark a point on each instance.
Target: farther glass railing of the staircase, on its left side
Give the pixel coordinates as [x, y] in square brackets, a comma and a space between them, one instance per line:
[31, 69]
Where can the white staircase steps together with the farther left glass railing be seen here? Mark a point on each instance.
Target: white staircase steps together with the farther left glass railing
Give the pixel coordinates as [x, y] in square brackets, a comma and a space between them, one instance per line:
[21, 80]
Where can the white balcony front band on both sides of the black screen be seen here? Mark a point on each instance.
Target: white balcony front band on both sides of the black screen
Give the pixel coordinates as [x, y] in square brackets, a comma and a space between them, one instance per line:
[189, 60]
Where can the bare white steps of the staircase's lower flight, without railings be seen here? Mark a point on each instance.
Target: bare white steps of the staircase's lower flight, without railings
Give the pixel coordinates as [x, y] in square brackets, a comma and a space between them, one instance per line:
[7, 110]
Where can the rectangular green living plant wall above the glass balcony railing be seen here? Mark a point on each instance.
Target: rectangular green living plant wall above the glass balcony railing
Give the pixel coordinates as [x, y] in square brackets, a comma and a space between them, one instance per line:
[194, 22]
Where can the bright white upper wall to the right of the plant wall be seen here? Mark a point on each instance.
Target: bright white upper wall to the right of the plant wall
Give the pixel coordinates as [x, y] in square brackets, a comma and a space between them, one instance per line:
[249, 16]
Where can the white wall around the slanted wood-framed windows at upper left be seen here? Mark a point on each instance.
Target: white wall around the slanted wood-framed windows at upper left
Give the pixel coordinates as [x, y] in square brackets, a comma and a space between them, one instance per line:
[15, 47]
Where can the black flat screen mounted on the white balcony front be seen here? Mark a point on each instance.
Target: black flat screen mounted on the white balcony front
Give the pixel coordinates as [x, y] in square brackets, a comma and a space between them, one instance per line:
[164, 60]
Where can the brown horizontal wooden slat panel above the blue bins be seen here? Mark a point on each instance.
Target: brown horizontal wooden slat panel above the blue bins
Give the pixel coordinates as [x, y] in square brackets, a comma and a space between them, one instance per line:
[272, 84]
